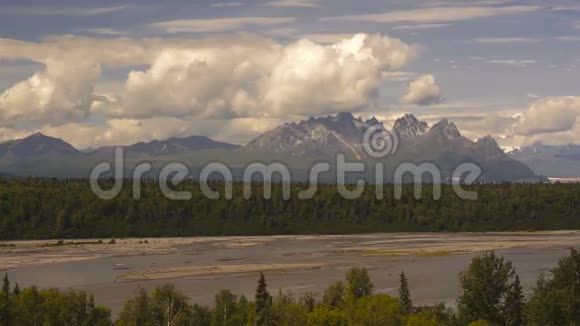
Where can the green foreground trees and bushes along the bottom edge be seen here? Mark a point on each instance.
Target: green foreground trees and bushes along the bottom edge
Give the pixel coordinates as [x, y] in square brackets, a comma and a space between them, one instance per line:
[490, 294]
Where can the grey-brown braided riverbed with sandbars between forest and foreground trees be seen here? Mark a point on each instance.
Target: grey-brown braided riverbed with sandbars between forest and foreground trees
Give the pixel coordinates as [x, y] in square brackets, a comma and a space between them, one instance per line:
[199, 267]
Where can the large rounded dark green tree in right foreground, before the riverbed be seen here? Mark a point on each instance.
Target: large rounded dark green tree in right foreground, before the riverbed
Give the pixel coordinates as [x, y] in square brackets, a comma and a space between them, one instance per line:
[484, 287]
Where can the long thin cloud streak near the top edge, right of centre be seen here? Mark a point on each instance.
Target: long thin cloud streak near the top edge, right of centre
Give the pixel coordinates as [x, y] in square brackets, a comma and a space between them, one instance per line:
[437, 14]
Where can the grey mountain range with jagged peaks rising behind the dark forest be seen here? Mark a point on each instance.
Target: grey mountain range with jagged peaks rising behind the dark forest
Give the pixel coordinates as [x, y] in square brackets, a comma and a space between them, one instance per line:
[298, 144]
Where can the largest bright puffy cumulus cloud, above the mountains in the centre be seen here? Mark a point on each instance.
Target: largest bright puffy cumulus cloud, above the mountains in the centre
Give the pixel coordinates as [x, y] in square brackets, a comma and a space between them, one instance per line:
[260, 80]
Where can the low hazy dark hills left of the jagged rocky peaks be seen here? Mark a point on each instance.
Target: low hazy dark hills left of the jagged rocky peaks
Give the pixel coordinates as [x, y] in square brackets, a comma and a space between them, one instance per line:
[43, 156]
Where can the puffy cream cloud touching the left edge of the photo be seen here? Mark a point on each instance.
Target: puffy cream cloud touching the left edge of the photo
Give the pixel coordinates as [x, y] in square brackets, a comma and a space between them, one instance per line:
[63, 90]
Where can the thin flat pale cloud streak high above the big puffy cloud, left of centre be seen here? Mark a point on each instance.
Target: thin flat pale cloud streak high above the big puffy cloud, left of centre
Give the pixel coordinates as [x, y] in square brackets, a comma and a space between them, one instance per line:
[218, 24]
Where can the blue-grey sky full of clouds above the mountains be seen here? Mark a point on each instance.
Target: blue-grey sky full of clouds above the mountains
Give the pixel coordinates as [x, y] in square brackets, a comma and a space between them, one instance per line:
[98, 73]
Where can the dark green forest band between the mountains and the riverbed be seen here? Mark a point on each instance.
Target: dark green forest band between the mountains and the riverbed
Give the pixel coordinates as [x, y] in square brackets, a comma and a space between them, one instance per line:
[33, 208]
